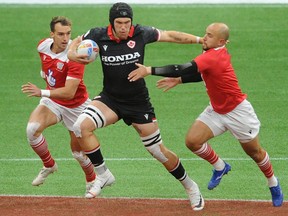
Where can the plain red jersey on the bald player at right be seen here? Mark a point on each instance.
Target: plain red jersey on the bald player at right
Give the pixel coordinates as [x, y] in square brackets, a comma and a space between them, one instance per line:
[220, 79]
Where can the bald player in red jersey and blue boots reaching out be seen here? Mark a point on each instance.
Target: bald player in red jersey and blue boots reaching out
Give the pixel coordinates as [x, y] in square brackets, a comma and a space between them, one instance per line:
[228, 110]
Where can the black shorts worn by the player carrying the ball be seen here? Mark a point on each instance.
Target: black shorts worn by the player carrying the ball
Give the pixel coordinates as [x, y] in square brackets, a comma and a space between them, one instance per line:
[140, 112]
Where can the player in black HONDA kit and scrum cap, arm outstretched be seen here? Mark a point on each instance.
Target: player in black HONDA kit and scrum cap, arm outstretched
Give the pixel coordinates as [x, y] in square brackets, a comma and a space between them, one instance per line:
[122, 45]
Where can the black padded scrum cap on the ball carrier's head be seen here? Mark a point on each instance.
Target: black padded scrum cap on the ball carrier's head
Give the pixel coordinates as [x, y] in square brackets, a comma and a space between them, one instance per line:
[120, 9]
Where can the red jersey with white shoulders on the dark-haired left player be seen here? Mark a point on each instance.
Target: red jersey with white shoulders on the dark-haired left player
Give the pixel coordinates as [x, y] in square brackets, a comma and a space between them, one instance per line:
[57, 68]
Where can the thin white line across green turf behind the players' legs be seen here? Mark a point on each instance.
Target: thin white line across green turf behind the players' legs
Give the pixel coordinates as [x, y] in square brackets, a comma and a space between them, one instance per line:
[135, 159]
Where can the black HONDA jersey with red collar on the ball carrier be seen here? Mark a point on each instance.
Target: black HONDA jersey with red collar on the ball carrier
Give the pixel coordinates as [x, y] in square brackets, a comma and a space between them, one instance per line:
[118, 59]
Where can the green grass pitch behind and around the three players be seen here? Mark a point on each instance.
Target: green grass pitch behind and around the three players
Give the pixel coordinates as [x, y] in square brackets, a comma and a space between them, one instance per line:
[258, 45]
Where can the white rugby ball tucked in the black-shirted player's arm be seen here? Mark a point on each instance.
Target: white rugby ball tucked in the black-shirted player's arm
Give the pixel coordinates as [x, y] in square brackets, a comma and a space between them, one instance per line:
[88, 47]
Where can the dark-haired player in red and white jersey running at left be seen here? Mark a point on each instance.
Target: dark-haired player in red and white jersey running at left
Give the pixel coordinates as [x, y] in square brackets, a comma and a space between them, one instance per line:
[63, 100]
